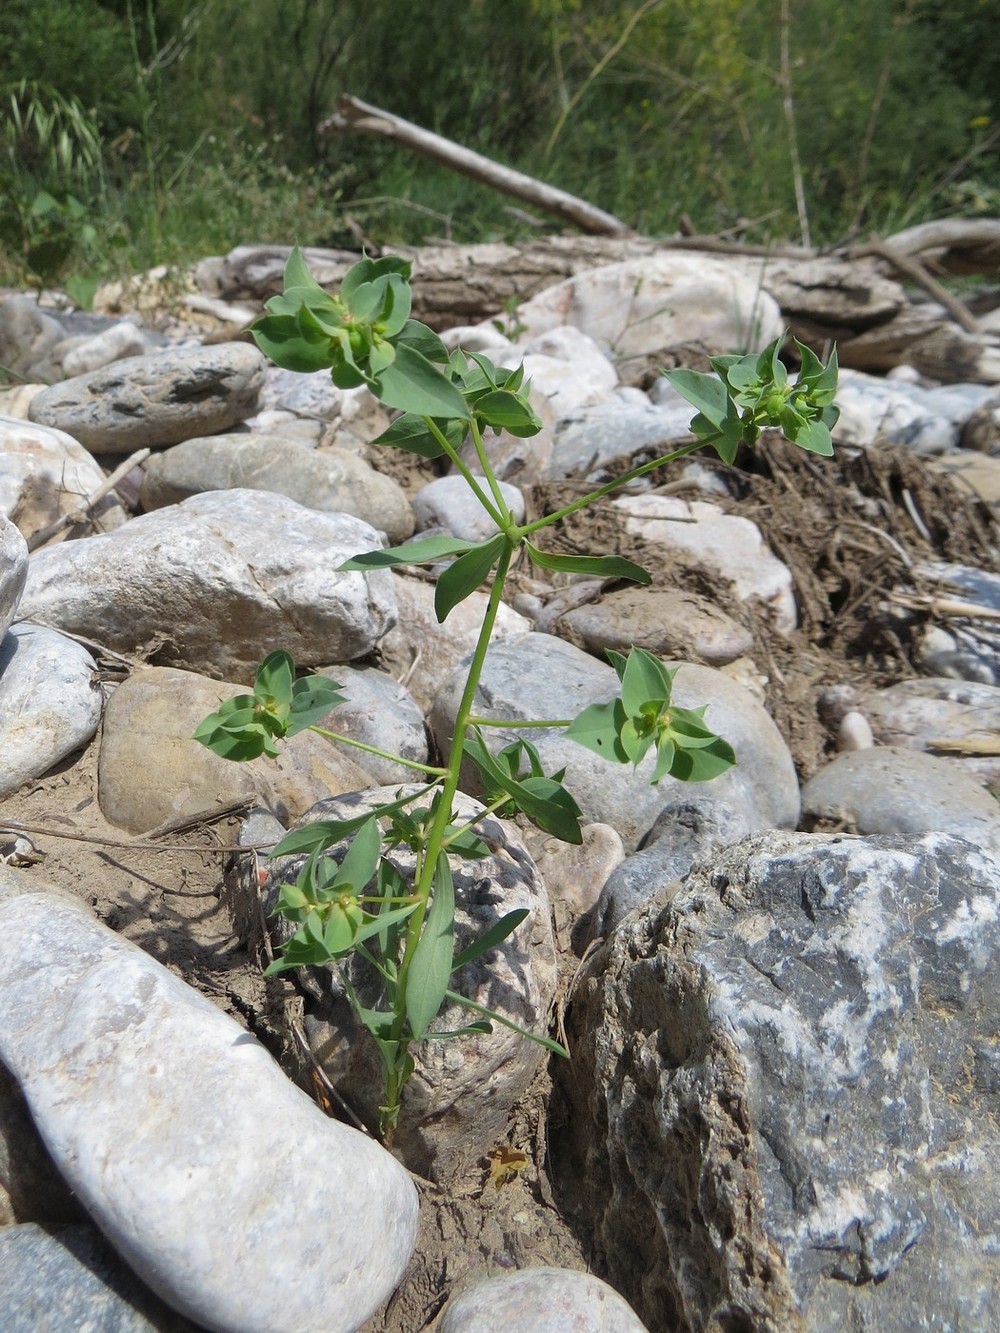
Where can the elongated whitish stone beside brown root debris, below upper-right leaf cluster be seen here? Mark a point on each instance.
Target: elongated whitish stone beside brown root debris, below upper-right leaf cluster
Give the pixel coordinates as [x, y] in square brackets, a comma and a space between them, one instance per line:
[725, 545]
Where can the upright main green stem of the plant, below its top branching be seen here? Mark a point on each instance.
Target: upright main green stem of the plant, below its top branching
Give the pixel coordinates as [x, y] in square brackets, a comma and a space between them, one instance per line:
[435, 842]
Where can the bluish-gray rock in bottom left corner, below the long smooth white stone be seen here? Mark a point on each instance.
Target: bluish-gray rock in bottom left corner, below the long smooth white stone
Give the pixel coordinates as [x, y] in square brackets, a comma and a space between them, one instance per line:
[69, 1280]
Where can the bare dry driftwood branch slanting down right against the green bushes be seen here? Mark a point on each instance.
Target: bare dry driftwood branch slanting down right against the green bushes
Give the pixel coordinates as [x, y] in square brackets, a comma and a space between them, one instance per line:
[359, 117]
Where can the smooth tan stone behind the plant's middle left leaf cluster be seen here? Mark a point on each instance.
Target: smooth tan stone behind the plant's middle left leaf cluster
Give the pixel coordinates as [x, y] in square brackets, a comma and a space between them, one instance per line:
[151, 772]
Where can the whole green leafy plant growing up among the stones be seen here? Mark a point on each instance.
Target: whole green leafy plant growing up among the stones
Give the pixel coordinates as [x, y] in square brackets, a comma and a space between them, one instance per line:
[405, 931]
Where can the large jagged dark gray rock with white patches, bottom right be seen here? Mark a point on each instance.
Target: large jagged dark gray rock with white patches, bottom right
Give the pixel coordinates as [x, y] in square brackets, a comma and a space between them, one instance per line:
[785, 1091]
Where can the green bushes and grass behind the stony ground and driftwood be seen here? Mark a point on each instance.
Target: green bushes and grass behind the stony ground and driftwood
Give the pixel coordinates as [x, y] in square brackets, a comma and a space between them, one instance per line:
[135, 133]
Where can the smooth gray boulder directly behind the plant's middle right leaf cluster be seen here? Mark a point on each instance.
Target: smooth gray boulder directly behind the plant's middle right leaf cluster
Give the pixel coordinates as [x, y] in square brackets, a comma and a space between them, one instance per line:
[537, 676]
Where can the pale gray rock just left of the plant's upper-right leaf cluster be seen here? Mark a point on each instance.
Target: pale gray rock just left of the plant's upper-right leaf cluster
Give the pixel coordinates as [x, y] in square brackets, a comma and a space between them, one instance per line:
[591, 438]
